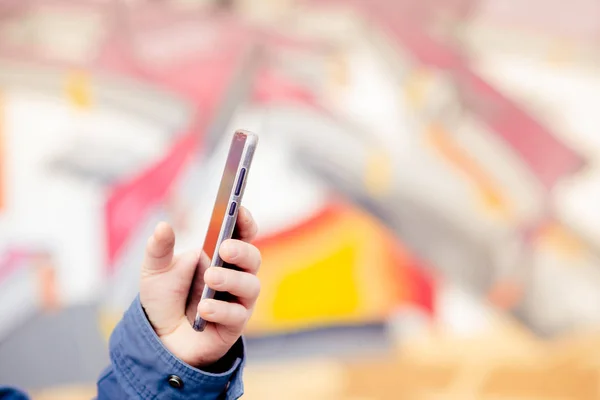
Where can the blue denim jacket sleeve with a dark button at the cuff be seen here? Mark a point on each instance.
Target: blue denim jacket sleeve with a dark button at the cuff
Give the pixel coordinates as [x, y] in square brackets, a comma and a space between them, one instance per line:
[142, 368]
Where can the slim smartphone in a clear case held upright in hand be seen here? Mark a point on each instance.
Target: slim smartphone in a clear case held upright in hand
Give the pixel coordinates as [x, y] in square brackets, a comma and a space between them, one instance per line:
[229, 198]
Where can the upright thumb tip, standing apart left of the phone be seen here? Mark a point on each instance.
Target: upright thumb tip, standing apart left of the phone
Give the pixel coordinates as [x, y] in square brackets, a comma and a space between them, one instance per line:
[159, 249]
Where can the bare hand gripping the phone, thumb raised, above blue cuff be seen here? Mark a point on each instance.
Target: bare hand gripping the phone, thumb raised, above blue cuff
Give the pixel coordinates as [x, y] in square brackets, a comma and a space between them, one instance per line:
[166, 282]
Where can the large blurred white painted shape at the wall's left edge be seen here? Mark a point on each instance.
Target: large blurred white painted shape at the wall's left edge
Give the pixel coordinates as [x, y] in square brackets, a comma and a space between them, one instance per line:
[60, 211]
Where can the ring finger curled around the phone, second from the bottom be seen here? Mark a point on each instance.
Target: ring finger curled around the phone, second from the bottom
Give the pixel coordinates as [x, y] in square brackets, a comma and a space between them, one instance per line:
[245, 286]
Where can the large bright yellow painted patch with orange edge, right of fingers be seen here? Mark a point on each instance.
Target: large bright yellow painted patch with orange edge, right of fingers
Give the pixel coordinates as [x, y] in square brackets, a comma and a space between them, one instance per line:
[336, 273]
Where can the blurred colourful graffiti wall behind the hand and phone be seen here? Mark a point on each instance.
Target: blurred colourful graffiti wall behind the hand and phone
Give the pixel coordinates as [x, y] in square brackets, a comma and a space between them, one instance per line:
[427, 186]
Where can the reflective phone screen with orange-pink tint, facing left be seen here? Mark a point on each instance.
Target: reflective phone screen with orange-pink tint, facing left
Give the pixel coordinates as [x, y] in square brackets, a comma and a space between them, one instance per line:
[221, 204]
